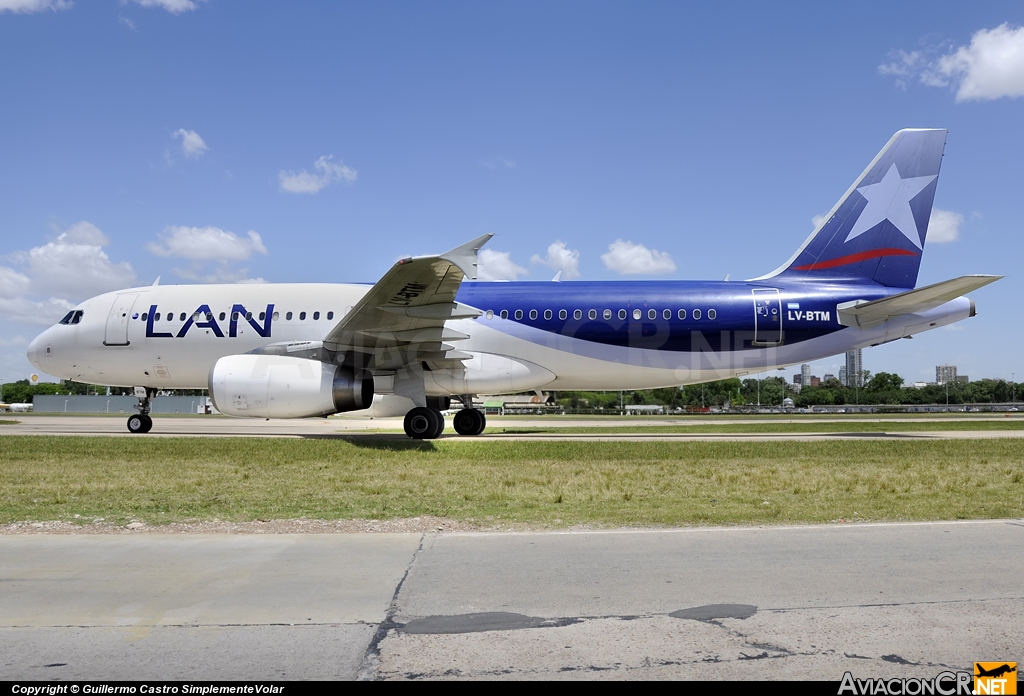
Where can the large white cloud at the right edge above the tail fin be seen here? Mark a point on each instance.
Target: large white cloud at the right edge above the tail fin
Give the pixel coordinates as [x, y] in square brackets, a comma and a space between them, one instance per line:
[990, 68]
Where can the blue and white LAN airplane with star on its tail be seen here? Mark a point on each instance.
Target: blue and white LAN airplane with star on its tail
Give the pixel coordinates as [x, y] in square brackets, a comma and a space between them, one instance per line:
[430, 332]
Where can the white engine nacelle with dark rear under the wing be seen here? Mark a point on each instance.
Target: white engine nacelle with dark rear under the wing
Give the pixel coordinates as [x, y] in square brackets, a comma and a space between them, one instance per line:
[279, 386]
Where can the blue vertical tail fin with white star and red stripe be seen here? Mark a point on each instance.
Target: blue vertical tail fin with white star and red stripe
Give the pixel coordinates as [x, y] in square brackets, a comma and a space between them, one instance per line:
[877, 231]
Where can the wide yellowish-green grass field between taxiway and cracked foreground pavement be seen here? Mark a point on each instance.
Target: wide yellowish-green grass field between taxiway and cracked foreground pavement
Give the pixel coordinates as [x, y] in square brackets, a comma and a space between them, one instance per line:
[497, 484]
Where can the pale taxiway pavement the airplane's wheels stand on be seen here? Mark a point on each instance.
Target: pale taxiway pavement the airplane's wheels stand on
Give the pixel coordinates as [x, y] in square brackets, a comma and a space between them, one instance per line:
[499, 429]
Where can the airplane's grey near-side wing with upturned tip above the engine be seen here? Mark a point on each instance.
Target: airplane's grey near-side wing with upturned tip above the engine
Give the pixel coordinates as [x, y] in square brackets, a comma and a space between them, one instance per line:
[403, 317]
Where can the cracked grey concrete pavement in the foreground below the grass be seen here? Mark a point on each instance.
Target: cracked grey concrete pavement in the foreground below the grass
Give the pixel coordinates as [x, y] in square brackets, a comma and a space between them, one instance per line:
[880, 600]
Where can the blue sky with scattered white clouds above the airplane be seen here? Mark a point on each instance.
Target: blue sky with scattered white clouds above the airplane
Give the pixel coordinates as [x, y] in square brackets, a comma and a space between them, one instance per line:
[226, 141]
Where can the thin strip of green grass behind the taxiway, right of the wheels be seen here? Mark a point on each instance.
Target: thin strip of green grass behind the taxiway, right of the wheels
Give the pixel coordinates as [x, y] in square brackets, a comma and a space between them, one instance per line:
[808, 427]
